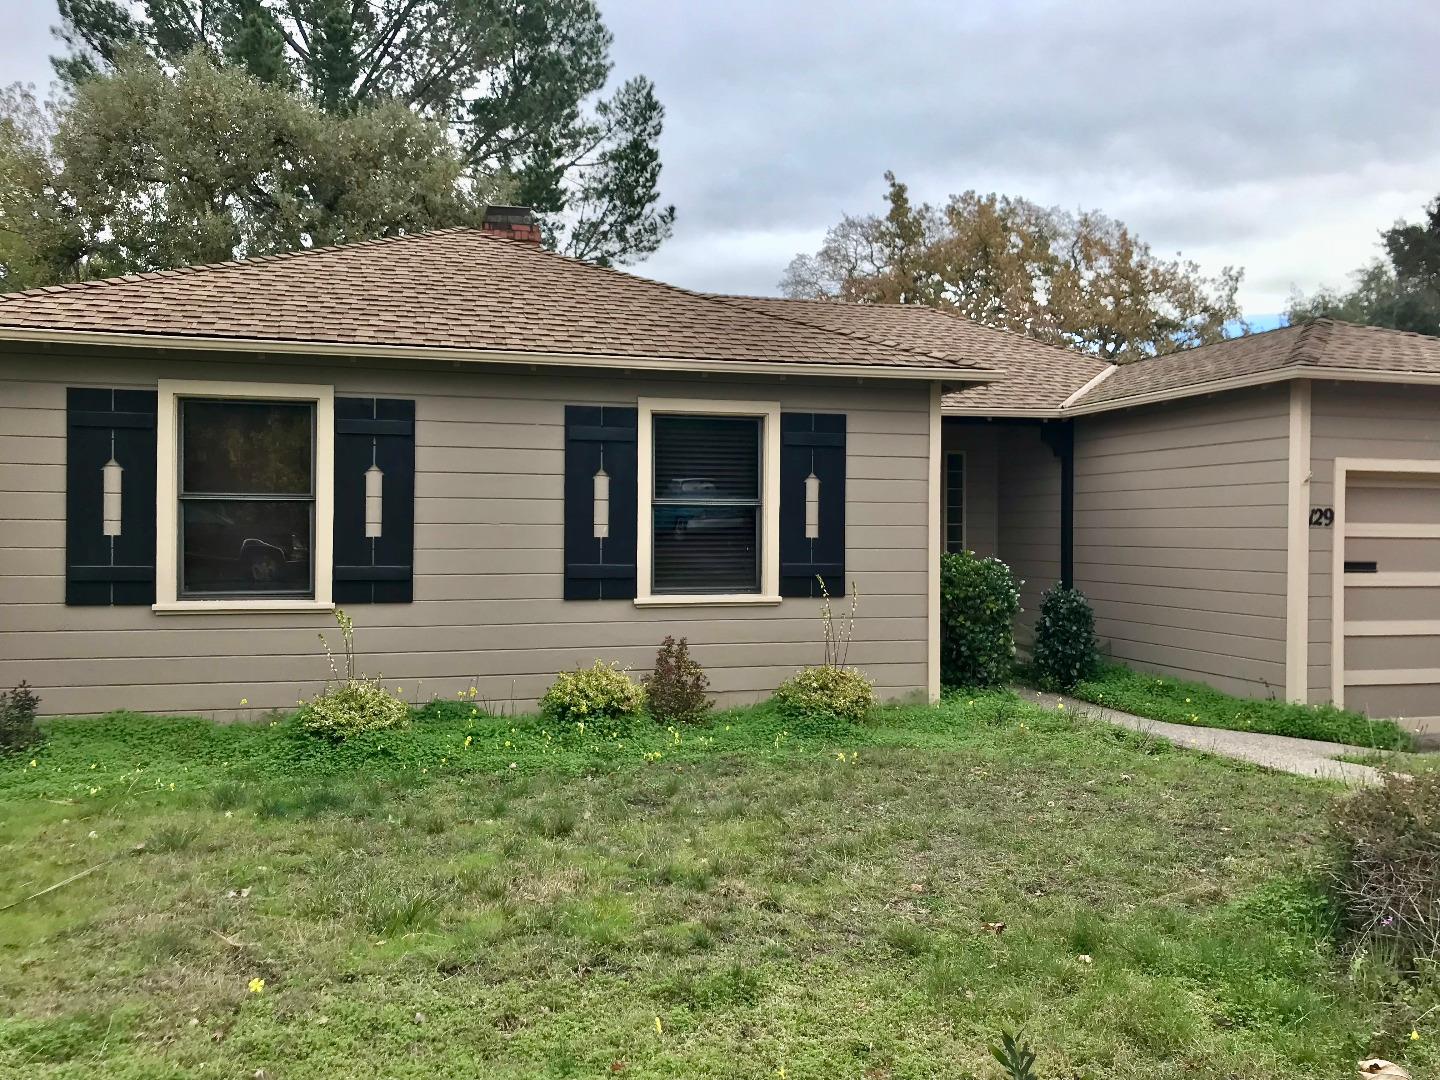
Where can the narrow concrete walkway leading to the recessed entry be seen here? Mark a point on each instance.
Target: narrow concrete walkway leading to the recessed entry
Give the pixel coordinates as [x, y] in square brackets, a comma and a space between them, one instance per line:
[1301, 757]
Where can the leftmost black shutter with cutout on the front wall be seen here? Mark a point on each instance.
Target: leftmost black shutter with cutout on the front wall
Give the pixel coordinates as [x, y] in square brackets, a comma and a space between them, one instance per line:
[110, 570]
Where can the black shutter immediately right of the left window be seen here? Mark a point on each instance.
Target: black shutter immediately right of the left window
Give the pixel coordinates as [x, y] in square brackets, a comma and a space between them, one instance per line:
[381, 433]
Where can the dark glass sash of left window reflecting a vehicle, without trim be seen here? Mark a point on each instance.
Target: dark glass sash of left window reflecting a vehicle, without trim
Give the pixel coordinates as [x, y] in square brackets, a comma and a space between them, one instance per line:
[247, 499]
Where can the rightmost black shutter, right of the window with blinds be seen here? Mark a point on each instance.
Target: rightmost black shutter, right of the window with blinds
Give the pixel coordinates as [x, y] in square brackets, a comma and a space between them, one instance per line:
[813, 443]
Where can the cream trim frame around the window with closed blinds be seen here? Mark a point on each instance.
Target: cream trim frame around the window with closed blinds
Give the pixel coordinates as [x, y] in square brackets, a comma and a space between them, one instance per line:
[770, 413]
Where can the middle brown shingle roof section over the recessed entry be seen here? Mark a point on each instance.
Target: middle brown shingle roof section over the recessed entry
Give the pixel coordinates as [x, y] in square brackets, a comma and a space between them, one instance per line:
[1036, 377]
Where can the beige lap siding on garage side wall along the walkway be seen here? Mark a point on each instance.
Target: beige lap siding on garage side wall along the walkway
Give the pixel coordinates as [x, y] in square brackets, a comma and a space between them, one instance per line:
[1182, 538]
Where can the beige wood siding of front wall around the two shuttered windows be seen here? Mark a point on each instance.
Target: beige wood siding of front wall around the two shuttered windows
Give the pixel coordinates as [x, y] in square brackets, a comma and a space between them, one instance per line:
[489, 557]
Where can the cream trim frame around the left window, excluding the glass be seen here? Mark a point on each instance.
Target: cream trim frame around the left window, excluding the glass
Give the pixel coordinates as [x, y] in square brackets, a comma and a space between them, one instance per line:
[168, 482]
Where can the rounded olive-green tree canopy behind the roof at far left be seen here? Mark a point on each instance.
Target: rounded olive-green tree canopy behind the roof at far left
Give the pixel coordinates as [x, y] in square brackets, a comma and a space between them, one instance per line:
[146, 169]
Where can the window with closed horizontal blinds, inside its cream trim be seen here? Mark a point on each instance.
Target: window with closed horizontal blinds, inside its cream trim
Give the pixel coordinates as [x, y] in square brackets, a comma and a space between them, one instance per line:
[706, 505]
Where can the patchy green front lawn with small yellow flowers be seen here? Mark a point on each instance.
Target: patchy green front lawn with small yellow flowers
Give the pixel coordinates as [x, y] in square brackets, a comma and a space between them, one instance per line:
[757, 899]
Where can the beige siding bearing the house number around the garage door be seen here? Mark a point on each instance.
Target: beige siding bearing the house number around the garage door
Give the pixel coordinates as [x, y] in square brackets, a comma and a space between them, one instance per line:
[1359, 421]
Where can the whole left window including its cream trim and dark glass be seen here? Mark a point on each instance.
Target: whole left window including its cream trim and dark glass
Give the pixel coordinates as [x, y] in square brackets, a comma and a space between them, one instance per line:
[246, 496]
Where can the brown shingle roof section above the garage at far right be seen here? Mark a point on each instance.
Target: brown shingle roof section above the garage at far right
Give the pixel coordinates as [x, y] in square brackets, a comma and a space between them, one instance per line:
[1314, 346]
